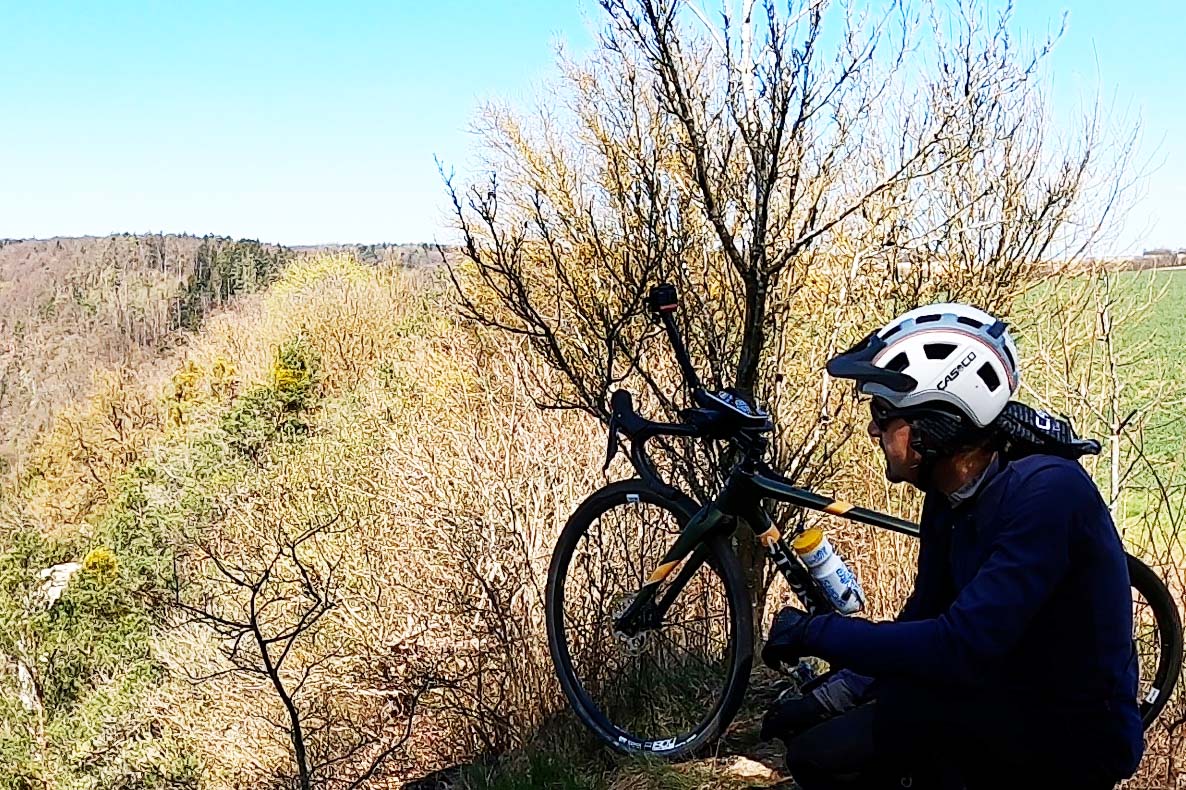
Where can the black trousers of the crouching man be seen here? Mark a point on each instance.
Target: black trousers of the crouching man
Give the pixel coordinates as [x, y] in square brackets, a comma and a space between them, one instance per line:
[933, 740]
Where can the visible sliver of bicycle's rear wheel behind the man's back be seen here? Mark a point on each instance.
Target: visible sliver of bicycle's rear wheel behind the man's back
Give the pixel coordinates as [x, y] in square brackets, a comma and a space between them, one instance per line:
[1158, 639]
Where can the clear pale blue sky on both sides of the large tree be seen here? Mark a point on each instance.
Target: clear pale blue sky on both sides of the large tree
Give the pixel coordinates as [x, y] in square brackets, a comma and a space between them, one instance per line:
[304, 123]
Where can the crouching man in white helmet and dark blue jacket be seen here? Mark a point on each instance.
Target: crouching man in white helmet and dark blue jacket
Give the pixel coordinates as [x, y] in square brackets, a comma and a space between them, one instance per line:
[1012, 664]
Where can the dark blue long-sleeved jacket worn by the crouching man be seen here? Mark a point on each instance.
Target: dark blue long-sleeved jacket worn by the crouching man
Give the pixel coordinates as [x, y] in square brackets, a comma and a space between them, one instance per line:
[1023, 589]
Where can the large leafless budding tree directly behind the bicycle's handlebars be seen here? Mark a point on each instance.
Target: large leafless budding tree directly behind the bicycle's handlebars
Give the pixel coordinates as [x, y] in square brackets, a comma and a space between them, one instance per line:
[800, 174]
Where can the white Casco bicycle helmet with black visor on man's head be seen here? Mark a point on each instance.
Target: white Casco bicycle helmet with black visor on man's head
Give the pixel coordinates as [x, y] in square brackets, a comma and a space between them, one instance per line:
[938, 354]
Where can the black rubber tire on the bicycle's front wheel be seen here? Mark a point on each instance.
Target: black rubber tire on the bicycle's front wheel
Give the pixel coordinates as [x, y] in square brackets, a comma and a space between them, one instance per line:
[722, 562]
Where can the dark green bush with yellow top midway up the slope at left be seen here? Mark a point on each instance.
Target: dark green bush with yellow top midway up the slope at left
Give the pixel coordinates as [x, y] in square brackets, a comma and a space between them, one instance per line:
[277, 410]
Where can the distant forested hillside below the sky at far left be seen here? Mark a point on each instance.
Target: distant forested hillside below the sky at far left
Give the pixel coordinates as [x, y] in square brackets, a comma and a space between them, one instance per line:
[73, 307]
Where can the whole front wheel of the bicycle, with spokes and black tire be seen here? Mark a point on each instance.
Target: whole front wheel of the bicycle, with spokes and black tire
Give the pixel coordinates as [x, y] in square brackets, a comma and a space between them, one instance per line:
[674, 687]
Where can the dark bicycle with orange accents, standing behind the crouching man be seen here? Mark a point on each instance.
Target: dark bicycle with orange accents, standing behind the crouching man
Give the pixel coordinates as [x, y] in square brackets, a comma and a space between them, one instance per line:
[693, 673]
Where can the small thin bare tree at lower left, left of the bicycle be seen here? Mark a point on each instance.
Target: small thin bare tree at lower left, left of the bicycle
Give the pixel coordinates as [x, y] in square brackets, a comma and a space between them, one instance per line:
[267, 604]
